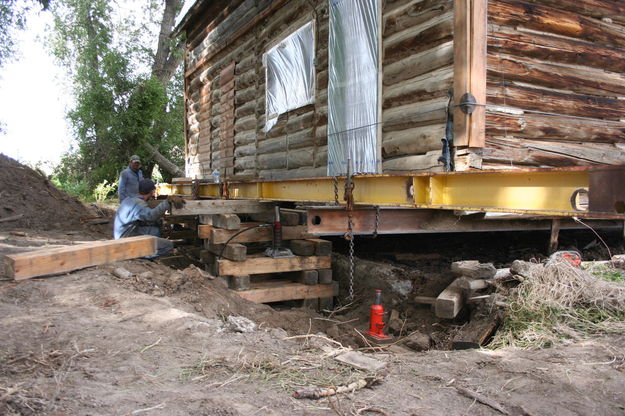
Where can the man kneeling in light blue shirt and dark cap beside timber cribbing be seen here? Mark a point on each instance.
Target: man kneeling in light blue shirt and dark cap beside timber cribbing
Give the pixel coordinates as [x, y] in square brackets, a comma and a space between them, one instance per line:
[134, 217]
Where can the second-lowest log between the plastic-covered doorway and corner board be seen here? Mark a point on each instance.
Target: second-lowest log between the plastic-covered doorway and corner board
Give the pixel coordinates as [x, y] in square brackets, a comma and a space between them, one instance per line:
[413, 141]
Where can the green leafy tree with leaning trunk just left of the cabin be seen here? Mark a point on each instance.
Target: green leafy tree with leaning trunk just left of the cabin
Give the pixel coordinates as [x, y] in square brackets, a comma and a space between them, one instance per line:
[127, 99]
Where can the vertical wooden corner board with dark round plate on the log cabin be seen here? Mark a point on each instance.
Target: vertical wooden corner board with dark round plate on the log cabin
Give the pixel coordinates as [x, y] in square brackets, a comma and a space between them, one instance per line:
[470, 26]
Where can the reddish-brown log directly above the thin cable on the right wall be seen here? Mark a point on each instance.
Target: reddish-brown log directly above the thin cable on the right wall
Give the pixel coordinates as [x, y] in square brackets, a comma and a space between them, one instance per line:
[554, 102]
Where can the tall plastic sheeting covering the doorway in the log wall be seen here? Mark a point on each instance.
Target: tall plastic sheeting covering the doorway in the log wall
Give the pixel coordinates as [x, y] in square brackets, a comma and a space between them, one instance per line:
[353, 86]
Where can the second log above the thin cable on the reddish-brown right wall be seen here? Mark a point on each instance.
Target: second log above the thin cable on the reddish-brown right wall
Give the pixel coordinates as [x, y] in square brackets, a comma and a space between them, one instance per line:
[578, 80]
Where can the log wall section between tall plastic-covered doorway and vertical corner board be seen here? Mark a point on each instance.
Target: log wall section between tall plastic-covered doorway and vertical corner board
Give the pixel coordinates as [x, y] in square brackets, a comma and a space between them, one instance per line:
[417, 41]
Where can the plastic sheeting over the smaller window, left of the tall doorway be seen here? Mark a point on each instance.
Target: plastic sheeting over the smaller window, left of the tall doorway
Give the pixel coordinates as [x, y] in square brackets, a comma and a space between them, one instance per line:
[290, 72]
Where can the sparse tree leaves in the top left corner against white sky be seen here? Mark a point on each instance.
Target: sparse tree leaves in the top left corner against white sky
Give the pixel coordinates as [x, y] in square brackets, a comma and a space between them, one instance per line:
[13, 18]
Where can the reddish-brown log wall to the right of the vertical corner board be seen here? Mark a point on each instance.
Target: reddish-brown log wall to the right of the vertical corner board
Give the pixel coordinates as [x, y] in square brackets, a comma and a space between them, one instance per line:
[555, 83]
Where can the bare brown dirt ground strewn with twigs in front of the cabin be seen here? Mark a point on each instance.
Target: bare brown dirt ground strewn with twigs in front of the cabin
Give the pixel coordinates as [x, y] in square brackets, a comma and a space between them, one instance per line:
[175, 342]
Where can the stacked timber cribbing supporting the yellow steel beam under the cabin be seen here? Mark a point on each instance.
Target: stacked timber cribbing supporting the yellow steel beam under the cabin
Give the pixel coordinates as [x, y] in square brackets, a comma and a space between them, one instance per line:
[234, 250]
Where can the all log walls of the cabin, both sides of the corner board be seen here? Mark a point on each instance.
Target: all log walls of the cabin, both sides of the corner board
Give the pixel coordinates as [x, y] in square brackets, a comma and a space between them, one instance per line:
[555, 87]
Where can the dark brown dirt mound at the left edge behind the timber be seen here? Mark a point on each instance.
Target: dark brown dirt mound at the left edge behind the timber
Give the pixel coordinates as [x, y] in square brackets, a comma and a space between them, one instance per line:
[33, 202]
